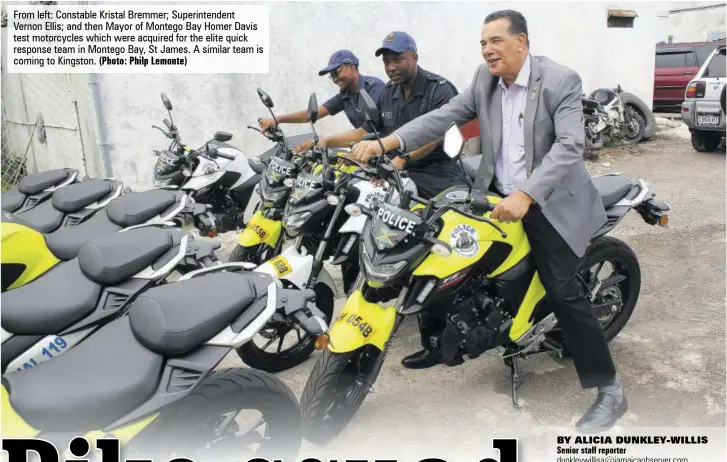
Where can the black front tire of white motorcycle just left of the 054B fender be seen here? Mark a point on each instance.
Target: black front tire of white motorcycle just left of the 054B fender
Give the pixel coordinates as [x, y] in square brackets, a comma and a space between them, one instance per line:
[252, 355]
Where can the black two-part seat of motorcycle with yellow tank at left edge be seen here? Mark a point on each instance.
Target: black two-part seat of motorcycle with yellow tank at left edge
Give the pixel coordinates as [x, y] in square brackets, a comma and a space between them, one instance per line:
[128, 210]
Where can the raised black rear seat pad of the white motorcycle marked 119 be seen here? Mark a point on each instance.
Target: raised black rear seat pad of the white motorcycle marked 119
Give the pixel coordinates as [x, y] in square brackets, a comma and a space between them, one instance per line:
[113, 258]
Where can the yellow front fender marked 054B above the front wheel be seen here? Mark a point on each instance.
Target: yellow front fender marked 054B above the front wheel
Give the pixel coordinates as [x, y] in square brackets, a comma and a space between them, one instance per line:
[361, 323]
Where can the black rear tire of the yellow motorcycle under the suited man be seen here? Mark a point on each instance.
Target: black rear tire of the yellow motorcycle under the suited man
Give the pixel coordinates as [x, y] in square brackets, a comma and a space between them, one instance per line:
[608, 248]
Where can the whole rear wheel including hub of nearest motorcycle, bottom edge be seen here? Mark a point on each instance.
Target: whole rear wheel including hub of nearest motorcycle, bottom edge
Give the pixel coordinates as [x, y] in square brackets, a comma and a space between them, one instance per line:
[202, 426]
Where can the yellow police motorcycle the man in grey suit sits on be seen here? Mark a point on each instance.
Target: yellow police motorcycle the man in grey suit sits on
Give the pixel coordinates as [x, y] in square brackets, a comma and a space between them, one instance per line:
[447, 252]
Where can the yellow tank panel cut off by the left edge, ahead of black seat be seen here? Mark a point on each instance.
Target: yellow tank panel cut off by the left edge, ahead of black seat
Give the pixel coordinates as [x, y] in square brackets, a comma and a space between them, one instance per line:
[26, 246]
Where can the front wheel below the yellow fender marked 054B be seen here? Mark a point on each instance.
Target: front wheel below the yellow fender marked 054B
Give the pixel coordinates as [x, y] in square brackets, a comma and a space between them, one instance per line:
[336, 388]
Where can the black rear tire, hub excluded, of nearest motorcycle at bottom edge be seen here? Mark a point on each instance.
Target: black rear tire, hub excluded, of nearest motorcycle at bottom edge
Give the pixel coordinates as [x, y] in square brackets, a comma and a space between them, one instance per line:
[180, 428]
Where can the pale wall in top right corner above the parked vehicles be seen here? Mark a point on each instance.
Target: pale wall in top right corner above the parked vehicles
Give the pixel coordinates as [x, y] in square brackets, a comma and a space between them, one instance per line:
[694, 25]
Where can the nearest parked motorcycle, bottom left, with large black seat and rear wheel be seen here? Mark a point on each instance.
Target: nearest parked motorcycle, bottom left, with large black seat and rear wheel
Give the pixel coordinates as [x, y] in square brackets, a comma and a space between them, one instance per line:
[150, 378]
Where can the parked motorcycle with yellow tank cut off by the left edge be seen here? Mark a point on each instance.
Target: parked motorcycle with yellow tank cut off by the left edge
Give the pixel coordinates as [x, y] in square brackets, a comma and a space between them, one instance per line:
[28, 253]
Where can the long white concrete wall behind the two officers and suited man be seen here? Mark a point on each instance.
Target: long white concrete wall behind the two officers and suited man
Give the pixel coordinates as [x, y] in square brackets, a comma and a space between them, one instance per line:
[303, 35]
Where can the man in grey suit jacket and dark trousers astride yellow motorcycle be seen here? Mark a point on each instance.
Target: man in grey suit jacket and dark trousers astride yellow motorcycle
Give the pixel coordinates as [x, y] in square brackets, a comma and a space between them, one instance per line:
[532, 139]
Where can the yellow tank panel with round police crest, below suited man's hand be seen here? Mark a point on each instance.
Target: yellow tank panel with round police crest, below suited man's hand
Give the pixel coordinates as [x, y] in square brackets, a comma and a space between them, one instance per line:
[482, 235]
